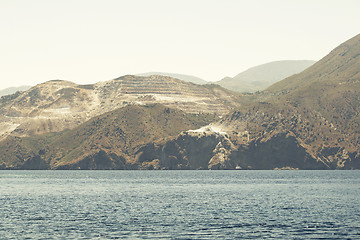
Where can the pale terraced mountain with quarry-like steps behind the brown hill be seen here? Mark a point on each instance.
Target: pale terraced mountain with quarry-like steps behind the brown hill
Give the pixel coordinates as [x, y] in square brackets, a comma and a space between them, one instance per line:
[57, 105]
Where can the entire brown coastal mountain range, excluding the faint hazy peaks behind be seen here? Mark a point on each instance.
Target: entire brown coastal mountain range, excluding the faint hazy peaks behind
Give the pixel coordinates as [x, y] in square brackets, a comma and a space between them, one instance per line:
[307, 121]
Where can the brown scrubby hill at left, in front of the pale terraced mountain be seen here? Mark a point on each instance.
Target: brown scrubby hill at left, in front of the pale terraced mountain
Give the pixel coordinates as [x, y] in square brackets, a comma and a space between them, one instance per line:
[108, 141]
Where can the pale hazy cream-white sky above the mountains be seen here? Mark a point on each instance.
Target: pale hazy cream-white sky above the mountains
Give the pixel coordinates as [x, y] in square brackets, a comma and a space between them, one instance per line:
[87, 41]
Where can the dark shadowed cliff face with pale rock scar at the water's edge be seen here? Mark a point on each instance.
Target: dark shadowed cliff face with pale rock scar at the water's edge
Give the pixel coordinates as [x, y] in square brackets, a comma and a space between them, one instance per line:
[216, 151]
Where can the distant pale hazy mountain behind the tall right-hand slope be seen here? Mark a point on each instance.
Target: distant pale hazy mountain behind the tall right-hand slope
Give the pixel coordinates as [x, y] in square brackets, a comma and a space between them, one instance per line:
[260, 77]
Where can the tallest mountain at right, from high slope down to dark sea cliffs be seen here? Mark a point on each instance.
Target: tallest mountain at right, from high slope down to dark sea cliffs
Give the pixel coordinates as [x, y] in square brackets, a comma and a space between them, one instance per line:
[308, 121]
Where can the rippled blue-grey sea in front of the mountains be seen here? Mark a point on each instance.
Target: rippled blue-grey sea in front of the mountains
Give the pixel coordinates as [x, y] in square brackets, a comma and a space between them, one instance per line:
[180, 204]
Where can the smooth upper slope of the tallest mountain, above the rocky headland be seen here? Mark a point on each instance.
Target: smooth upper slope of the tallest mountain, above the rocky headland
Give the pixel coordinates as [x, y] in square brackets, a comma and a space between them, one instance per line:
[330, 87]
